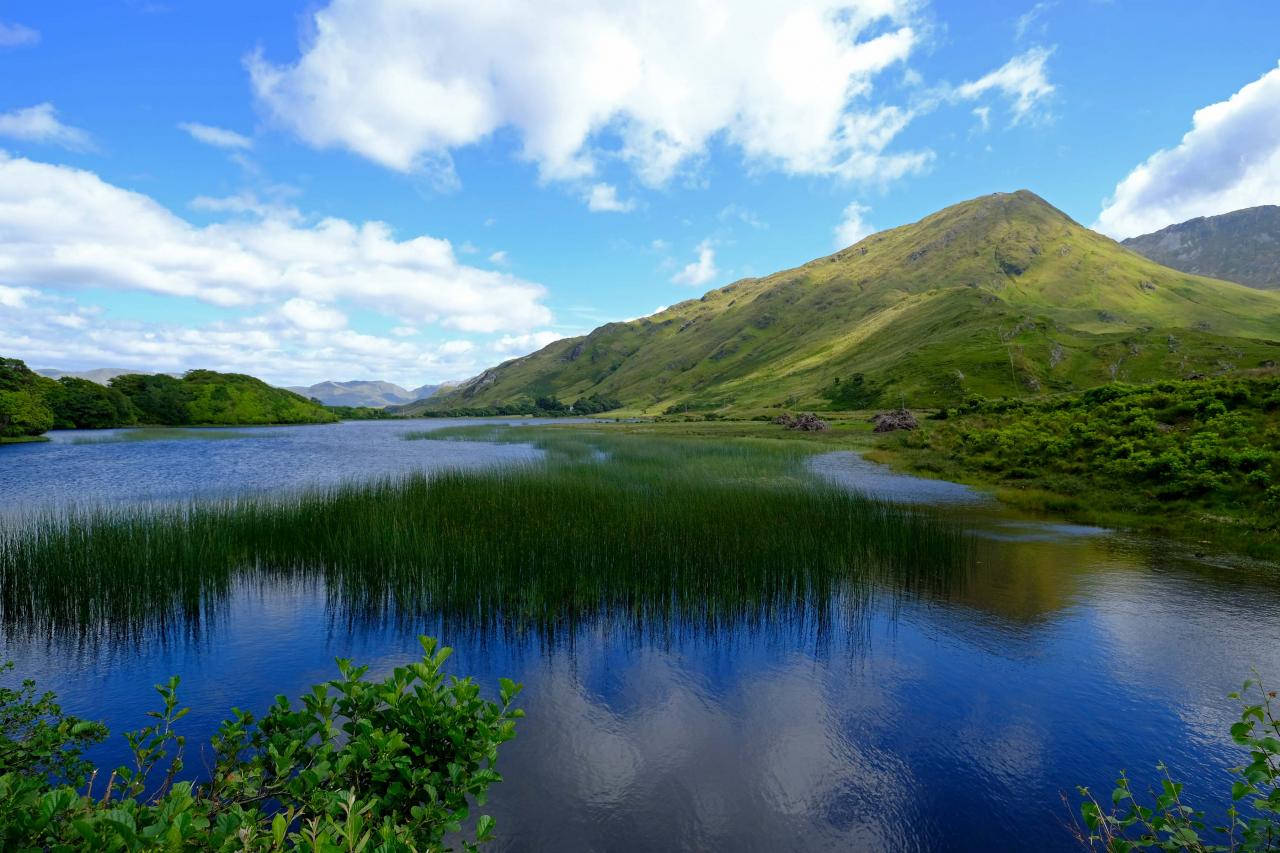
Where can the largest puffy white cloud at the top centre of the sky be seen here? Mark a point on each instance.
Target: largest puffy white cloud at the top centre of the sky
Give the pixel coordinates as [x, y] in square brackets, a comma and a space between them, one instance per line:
[789, 83]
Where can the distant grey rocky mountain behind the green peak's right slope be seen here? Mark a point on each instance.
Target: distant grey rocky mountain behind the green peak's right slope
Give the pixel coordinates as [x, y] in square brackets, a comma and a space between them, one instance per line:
[1242, 247]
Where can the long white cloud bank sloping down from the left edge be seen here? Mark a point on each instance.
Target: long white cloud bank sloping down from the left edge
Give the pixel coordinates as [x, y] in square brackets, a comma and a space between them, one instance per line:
[67, 229]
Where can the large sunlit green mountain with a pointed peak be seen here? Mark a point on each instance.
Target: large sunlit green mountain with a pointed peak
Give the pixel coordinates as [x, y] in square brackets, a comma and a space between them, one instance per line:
[1002, 295]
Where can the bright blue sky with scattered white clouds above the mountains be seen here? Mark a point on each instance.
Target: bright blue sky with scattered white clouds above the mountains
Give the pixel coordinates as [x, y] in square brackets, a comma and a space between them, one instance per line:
[417, 190]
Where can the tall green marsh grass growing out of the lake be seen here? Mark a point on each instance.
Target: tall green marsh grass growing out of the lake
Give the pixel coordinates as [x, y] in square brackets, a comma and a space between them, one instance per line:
[639, 533]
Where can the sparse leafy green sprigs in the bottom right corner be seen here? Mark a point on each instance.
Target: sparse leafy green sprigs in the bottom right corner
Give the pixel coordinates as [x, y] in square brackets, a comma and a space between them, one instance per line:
[1173, 825]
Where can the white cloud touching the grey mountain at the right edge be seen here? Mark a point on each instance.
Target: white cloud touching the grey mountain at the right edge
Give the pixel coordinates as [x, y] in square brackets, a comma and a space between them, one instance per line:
[1231, 159]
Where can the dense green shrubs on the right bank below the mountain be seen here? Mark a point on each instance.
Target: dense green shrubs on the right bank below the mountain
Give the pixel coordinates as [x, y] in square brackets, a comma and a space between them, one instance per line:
[1209, 448]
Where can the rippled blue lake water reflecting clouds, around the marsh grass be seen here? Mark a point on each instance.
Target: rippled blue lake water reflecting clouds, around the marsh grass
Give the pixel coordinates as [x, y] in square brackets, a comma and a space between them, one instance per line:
[956, 723]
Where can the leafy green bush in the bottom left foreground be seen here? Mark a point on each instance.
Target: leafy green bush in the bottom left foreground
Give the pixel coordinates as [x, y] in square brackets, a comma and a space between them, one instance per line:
[359, 765]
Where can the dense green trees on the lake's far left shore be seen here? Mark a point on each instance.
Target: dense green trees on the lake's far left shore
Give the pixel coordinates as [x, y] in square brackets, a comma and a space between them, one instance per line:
[31, 405]
